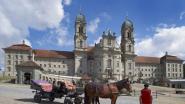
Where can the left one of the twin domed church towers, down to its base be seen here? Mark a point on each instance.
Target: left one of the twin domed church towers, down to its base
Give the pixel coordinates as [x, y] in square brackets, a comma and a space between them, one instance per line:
[80, 45]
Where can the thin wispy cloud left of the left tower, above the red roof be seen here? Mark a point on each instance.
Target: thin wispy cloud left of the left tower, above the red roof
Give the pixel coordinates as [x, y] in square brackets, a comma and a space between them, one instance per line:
[59, 35]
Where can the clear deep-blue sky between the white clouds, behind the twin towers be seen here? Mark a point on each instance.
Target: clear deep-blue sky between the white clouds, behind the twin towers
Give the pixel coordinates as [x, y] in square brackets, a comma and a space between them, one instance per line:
[145, 14]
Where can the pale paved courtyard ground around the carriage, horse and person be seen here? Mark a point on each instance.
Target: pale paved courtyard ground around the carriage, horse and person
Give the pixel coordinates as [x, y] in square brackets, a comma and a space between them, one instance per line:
[21, 94]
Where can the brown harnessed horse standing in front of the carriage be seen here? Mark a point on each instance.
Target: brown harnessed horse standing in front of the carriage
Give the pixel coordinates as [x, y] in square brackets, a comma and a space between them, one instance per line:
[111, 90]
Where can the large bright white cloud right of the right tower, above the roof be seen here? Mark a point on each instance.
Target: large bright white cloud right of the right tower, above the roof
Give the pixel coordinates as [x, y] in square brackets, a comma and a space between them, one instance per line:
[171, 39]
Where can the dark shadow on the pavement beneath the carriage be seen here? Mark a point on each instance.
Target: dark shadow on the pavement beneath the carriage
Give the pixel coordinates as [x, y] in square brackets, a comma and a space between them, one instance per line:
[42, 102]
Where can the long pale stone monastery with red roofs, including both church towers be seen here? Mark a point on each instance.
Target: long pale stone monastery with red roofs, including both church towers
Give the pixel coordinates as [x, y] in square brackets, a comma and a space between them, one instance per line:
[106, 59]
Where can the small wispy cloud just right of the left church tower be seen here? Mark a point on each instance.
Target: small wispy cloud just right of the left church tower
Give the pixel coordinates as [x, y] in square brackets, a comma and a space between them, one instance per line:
[93, 25]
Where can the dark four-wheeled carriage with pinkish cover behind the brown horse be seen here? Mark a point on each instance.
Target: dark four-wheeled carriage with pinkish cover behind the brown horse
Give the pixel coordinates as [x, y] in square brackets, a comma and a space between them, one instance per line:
[45, 90]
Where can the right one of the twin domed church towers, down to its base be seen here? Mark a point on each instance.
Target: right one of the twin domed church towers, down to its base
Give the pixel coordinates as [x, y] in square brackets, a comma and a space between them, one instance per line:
[127, 48]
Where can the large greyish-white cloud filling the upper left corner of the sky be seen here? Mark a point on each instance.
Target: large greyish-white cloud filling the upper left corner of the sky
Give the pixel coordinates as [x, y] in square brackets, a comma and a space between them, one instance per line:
[18, 16]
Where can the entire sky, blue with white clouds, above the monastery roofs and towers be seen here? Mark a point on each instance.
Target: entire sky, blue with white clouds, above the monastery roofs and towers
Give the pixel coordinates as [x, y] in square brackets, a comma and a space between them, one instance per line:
[49, 24]
